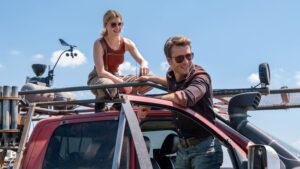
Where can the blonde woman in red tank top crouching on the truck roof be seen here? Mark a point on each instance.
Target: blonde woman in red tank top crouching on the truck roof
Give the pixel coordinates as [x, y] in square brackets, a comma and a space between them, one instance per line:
[109, 52]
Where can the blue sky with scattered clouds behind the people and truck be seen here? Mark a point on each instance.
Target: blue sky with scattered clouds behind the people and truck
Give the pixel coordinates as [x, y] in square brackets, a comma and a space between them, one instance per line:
[229, 38]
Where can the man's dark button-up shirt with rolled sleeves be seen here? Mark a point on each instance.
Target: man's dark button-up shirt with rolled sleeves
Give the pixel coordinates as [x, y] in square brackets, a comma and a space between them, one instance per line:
[195, 92]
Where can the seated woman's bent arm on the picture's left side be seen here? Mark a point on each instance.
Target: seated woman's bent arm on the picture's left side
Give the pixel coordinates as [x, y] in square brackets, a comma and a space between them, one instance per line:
[99, 63]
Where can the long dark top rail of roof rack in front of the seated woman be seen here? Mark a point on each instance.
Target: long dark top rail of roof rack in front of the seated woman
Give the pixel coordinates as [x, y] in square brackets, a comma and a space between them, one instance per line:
[80, 88]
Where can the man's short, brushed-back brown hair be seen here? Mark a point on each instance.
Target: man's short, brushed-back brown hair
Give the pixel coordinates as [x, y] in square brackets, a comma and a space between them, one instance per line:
[175, 41]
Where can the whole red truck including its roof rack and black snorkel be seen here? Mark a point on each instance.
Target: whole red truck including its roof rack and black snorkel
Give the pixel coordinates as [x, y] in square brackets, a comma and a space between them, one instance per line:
[141, 134]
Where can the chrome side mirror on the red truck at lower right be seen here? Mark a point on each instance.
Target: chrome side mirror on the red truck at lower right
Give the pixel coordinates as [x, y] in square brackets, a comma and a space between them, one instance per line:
[263, 157]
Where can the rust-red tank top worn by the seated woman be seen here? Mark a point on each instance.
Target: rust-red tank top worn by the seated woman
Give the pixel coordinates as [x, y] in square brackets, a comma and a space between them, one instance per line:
[112, 58]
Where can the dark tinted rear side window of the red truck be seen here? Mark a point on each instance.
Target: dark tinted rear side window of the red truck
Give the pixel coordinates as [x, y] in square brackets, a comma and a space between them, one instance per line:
[85, 145]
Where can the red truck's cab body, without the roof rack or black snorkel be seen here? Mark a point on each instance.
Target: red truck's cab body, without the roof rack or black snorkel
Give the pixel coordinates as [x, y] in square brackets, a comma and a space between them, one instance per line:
[116, 139]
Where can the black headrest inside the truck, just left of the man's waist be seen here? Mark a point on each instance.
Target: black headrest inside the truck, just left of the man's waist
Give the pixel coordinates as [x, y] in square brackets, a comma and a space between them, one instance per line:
[169, 145]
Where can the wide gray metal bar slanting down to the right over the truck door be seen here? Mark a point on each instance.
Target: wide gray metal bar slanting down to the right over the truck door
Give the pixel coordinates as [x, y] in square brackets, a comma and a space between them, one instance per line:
[137, 136]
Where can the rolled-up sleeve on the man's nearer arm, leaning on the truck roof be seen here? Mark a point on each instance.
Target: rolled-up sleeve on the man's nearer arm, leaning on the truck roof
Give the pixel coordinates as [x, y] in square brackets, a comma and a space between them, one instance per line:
[196, 90]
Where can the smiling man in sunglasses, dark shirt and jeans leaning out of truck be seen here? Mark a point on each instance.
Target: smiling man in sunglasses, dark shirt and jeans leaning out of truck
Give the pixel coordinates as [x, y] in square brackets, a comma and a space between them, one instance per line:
[189, 85]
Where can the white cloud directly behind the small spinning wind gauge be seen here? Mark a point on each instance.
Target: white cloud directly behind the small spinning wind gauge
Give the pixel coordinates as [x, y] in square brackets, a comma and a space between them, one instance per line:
[68, 61]
